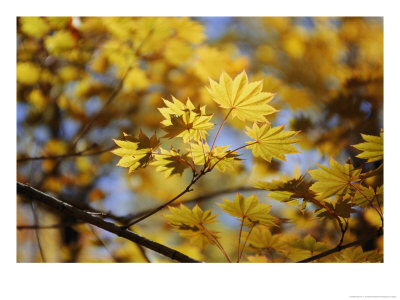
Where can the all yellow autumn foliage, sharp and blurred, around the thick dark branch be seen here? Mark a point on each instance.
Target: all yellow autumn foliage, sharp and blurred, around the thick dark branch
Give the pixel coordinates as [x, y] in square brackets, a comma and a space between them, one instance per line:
[261, 147]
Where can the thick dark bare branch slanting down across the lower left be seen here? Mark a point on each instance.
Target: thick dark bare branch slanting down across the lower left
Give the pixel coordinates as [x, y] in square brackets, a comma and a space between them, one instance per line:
[68, 209]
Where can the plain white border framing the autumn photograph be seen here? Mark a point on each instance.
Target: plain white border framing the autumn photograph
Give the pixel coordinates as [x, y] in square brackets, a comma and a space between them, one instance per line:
[206, 281]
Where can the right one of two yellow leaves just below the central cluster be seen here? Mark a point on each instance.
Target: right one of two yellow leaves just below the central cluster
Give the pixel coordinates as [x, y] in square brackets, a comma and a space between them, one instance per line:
[250, 209]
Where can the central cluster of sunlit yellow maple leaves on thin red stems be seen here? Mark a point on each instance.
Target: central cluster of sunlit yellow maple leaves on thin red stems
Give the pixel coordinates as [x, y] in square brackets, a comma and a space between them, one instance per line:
[245, 101]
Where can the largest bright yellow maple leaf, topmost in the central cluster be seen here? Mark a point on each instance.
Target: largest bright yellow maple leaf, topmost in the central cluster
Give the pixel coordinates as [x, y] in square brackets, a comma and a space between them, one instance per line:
[246, 100]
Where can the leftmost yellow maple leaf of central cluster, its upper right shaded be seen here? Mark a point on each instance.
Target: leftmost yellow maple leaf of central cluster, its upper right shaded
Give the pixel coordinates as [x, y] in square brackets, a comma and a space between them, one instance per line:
[136, 152]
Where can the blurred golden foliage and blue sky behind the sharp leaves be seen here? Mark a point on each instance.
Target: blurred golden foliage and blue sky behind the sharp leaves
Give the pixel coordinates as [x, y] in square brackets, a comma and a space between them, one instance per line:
[82, 81]
